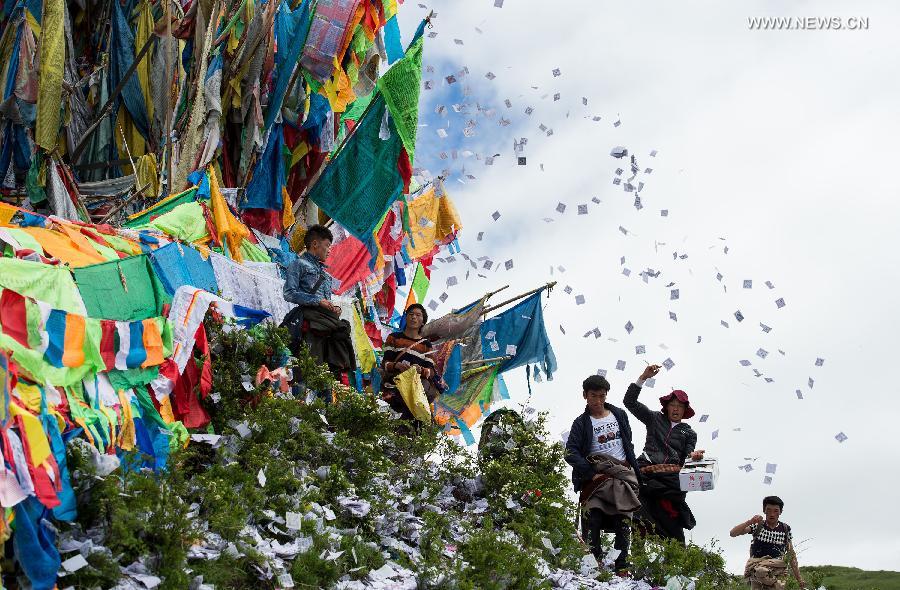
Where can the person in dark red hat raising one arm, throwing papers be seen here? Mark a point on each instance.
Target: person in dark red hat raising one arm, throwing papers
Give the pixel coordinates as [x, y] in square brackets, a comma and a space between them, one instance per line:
[670, 442]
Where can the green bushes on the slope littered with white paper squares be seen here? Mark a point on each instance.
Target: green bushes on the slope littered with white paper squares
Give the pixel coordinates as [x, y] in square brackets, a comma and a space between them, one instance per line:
[314, 453]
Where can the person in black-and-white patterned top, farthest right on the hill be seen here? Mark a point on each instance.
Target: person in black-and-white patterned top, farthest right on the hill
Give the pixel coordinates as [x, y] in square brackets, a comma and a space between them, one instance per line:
[771, 549]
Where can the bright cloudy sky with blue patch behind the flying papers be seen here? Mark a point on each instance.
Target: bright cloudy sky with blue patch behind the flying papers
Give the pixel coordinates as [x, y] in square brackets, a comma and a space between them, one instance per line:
[774, 158]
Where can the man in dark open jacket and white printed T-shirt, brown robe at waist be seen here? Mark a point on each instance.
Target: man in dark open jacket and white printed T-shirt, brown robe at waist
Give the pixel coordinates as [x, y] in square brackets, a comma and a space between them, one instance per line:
[602, 436]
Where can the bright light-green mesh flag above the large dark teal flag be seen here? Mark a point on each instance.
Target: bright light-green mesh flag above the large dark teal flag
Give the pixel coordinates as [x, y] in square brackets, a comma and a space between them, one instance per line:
[400, 87]
